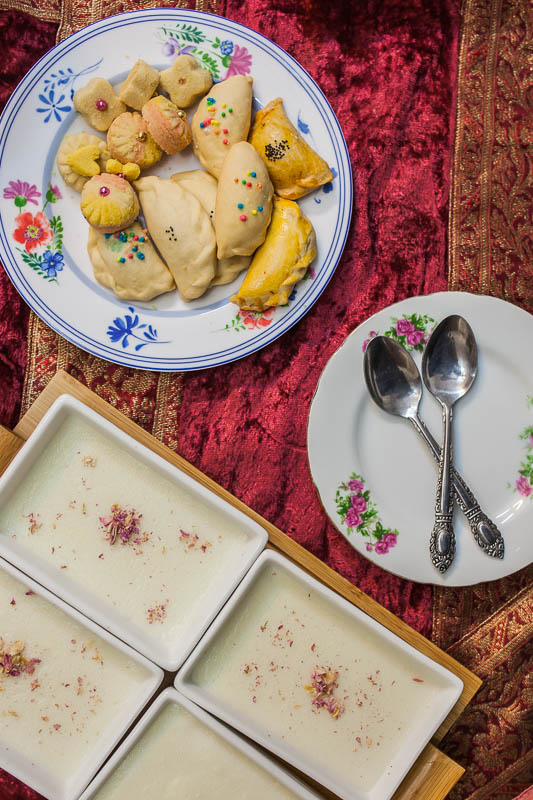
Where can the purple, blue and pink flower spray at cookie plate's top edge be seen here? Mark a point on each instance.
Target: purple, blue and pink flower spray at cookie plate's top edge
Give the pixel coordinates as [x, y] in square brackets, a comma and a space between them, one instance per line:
[222, 58]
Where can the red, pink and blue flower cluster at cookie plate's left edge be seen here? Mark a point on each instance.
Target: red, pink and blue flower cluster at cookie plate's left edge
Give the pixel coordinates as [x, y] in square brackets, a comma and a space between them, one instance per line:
[35, 231]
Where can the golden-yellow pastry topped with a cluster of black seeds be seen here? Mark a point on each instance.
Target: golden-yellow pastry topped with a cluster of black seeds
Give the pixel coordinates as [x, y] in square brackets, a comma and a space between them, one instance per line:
[292, 164]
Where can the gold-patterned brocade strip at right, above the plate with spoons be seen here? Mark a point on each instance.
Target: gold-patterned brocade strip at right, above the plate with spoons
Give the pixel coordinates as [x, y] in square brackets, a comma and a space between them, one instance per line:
[490, 223]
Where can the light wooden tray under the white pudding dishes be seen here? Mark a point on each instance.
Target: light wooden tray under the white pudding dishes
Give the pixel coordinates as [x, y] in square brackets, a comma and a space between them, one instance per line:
[434, 774]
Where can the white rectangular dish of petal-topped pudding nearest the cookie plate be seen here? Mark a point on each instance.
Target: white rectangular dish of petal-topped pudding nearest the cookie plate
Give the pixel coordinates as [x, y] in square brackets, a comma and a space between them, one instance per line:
[122, 535]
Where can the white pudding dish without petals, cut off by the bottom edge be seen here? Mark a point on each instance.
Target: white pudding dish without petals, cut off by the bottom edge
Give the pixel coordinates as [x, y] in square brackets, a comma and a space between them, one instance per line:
[178, 750]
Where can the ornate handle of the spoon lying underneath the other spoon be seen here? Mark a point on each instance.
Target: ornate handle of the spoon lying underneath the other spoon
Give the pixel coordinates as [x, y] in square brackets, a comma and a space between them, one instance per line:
[484, 531]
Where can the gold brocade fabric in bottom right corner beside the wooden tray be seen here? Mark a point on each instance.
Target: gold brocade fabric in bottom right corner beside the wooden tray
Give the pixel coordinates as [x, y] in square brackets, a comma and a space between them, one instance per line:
[493, 739]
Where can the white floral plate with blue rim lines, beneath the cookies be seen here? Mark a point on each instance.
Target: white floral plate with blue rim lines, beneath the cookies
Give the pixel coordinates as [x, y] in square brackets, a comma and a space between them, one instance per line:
[56, 278]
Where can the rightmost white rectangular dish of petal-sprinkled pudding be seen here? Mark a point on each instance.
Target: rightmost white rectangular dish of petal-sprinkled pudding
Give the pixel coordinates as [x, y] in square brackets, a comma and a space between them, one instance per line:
[304, 673]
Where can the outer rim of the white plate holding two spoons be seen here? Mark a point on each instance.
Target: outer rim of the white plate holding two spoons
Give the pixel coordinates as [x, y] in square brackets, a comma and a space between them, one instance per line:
[365, 322]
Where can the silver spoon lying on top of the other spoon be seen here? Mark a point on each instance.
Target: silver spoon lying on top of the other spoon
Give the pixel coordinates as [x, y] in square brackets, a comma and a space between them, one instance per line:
[449, 368]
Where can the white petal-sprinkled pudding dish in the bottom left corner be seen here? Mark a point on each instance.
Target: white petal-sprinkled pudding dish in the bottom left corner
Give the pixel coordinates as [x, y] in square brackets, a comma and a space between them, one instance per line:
[69, 690]
